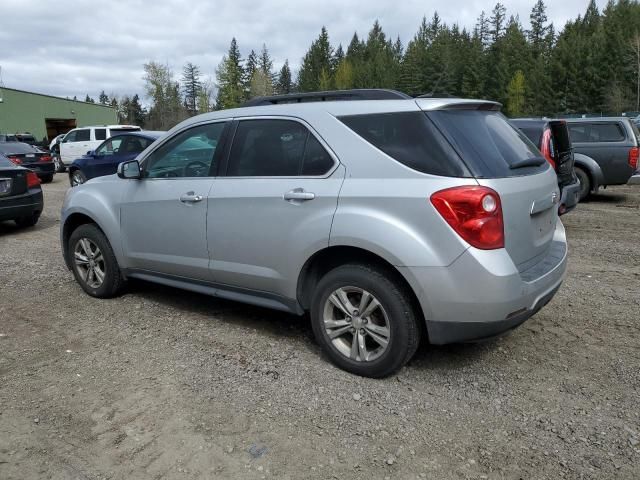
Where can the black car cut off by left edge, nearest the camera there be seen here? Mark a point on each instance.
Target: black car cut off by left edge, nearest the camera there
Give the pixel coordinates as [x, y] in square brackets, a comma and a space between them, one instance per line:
[21, 197]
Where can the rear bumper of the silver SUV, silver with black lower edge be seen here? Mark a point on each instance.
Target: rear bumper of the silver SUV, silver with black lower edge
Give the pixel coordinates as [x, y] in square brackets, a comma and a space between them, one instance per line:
[482, 294]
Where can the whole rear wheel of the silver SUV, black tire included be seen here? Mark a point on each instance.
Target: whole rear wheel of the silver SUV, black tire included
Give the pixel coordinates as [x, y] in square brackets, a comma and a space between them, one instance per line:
[364, 320]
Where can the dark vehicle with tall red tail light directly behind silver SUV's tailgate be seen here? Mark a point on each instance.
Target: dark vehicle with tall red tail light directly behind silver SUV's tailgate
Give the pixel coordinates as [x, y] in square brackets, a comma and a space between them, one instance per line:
[552, 138]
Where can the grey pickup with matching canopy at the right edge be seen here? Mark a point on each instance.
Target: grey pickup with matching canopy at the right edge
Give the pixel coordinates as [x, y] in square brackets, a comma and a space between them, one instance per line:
[606, 151]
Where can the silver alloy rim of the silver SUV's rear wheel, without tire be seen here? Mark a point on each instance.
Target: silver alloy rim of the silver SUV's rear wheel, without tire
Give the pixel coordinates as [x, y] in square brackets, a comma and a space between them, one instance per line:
[356, 324]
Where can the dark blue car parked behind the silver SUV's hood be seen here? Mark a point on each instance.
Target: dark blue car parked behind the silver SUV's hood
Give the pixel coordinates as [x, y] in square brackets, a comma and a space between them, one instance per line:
[104, 160]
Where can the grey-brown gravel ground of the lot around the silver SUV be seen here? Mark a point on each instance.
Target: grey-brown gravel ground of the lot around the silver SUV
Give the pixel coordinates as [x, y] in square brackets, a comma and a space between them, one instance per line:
[161, 383]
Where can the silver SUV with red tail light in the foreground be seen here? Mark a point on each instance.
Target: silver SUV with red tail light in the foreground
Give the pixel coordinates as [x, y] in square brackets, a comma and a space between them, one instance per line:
[386, 220]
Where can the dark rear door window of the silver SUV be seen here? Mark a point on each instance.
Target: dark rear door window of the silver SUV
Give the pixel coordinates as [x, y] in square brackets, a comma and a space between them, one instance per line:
[276, 148]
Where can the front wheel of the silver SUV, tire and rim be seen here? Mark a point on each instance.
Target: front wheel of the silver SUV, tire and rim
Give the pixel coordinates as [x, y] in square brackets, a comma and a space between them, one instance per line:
[93, 263]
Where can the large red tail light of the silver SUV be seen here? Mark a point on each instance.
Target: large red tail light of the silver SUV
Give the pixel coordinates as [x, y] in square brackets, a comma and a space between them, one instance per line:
[474, 212]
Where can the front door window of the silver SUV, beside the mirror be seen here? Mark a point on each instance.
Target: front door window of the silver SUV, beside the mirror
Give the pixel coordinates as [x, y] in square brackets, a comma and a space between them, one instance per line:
[188, 154]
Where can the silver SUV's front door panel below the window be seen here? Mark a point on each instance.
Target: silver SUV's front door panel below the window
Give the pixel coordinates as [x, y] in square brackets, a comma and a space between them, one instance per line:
[161, 232]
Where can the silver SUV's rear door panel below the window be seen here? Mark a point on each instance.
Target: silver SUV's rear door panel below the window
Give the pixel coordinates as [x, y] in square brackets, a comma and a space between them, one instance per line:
[259, 240]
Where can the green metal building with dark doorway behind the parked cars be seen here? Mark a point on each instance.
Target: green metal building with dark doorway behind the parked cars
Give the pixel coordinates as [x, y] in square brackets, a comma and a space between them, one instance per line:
[48, 116]
